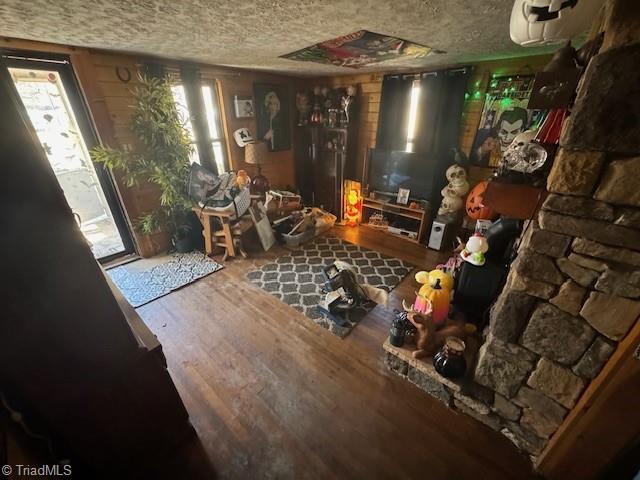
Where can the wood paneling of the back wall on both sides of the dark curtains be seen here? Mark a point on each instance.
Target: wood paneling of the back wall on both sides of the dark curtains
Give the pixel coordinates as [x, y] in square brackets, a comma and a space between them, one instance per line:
[370, 87]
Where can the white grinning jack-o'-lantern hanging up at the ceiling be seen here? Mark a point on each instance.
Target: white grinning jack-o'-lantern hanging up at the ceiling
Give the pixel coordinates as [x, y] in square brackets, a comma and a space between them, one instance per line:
[541, 22]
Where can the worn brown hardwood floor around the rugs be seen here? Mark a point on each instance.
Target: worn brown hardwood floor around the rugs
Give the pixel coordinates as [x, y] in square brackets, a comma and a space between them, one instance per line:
[273, 395]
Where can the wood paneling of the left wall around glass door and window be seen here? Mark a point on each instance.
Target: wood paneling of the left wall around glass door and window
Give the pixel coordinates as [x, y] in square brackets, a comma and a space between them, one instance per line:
[110, 103]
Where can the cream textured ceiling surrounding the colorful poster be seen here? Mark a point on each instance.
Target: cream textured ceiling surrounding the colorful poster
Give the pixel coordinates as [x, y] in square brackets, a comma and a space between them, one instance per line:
[252, 34]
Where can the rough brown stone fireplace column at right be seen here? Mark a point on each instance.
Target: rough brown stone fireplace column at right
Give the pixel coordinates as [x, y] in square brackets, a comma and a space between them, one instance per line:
[574, 290]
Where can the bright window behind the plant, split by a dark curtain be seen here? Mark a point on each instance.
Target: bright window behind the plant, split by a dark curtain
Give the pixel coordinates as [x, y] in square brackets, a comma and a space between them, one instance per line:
[201, 116]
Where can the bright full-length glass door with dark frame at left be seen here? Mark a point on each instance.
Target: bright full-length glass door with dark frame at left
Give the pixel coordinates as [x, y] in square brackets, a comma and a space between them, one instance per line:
[52, 100]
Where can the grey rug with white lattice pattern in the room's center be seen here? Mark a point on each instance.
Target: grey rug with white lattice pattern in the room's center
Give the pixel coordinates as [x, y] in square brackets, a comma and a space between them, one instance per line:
[297, 278]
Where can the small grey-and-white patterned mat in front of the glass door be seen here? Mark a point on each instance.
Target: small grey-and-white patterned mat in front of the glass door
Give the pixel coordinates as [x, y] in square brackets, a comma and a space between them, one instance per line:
[145, 280]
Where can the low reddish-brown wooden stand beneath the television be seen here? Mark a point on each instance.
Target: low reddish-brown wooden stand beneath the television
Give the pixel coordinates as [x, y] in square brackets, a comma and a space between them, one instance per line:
[416, 219]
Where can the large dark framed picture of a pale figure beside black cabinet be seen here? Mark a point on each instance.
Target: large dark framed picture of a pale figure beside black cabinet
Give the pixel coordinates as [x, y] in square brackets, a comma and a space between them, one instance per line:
[272, 115]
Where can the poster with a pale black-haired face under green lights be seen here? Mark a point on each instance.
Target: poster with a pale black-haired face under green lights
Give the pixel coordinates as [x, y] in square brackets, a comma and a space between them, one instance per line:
[504, 116]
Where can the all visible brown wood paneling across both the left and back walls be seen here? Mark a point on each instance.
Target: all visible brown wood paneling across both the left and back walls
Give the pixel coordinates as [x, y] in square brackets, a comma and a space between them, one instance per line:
[110, 101]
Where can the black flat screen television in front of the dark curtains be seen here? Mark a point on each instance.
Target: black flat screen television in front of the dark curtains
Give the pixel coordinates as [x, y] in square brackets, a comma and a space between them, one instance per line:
[395, 169]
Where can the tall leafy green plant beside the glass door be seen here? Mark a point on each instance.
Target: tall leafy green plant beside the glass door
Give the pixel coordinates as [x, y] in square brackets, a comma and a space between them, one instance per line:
[163, 159]
